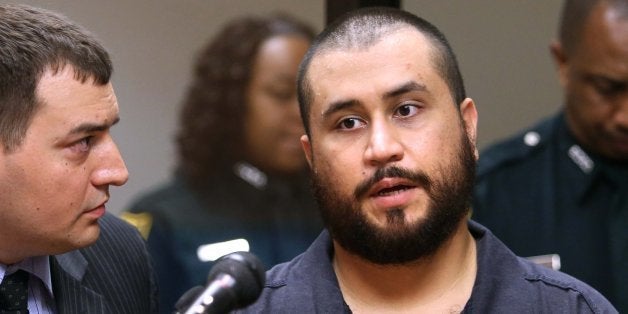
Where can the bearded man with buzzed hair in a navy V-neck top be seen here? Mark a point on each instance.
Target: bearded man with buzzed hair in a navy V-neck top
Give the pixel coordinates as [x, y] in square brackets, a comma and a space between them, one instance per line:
[390, 139]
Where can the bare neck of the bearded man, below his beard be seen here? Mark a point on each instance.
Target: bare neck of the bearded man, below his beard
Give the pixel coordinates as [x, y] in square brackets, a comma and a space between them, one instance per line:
[440, 283]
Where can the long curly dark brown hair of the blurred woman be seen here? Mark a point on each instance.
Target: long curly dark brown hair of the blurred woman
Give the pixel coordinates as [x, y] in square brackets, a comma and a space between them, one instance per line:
[210, 136]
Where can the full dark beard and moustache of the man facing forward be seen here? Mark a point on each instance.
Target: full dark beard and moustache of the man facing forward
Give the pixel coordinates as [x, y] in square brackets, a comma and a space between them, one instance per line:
[399, 242]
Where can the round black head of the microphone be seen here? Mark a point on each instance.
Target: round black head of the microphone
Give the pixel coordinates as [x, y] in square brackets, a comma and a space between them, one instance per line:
[248, 272]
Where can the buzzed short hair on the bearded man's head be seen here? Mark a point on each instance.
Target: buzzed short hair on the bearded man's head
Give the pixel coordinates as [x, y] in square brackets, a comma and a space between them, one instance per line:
[362, 28]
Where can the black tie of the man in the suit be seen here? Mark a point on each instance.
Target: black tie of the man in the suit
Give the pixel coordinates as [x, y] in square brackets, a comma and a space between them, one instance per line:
[14, 293]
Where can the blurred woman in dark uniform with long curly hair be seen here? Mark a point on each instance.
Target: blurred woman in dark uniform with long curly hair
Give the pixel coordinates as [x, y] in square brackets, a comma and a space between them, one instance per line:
[241, 181]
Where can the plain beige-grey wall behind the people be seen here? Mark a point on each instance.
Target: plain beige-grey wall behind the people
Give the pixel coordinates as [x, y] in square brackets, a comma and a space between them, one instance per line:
[502, 47]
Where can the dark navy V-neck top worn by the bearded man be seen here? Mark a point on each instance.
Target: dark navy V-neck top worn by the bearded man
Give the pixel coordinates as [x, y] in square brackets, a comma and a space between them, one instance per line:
[504, 283]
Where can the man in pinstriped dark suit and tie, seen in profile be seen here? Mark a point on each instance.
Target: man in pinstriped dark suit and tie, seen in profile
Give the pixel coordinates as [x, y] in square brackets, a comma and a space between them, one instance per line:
[60, 252]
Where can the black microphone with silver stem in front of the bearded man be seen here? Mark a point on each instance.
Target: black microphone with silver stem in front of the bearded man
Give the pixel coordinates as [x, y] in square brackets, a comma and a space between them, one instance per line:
[235, 281]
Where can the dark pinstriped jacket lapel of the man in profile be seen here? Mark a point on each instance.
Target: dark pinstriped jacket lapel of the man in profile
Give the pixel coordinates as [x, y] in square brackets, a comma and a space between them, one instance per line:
[71, 293]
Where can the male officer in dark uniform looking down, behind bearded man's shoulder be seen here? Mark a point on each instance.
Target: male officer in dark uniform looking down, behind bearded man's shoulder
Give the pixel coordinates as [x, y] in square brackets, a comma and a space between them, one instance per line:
[561, 186]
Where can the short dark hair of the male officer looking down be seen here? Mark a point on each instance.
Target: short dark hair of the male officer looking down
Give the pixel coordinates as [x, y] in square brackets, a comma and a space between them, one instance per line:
[574, 16]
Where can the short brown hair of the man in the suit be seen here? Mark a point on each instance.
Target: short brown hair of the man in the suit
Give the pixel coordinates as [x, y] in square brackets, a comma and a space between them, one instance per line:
[33, 40]
